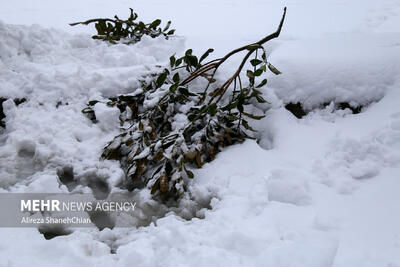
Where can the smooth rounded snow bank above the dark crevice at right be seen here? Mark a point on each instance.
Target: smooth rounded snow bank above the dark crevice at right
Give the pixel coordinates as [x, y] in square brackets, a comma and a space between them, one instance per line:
[359, 76]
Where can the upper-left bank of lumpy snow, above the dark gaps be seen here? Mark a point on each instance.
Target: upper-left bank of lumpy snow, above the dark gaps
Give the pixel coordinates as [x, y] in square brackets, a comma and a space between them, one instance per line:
[41, 61]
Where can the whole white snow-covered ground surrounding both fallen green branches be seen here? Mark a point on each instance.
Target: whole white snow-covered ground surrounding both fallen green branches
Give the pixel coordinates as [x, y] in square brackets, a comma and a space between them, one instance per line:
[323, 190]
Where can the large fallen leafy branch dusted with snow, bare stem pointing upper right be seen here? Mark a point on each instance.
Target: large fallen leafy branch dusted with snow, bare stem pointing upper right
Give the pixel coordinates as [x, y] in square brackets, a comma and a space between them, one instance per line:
[173, 126]
